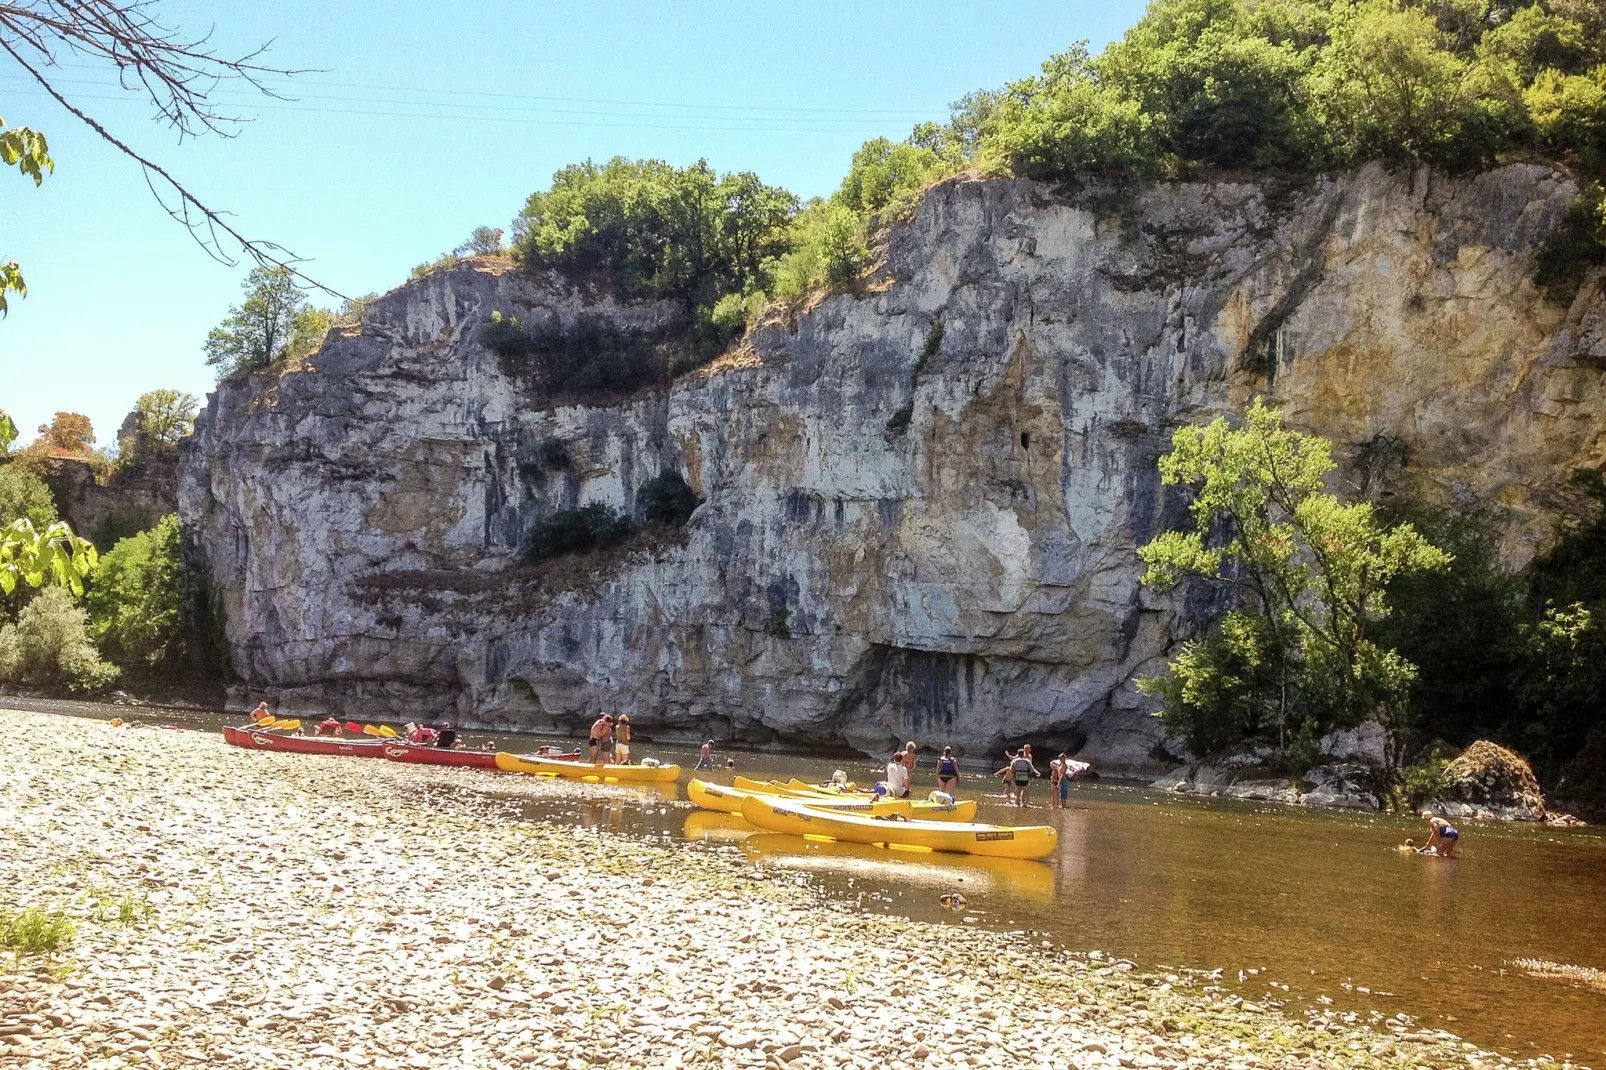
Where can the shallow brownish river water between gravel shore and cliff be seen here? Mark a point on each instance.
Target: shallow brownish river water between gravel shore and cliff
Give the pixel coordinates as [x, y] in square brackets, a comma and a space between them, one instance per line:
[1295, 907]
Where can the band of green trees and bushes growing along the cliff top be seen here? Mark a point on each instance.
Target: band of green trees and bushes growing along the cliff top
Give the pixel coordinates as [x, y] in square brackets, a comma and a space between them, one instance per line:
[1196, 89]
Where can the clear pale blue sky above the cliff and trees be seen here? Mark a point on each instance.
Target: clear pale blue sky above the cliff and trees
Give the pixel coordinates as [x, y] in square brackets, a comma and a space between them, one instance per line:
[428, 120]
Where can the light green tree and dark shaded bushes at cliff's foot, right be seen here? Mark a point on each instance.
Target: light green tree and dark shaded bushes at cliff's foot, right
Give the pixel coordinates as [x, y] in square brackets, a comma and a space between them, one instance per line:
[1339, 615]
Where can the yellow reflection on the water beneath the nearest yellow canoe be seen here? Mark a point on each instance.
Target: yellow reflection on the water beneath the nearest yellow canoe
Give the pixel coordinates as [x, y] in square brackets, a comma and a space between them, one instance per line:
[947, 873]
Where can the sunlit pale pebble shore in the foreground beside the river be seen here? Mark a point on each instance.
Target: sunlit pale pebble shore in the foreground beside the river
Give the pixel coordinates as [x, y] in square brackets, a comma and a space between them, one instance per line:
[266, 910]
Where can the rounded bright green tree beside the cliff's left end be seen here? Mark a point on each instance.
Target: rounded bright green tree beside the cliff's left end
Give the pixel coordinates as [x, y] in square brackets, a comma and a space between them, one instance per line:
[134, 602]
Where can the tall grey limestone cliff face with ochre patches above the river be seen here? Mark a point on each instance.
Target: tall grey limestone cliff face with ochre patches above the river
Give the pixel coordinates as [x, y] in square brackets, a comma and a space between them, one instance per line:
[923, 502]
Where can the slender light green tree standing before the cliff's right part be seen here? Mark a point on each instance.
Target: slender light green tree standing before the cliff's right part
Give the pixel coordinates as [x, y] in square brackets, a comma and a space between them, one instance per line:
[1295, 658]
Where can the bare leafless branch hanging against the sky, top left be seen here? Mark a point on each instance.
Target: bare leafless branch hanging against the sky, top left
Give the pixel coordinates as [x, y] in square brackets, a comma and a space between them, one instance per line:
[176, 73]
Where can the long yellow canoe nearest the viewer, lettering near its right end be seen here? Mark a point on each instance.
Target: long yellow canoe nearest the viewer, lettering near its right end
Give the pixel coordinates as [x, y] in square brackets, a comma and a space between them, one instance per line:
[993, 841]
